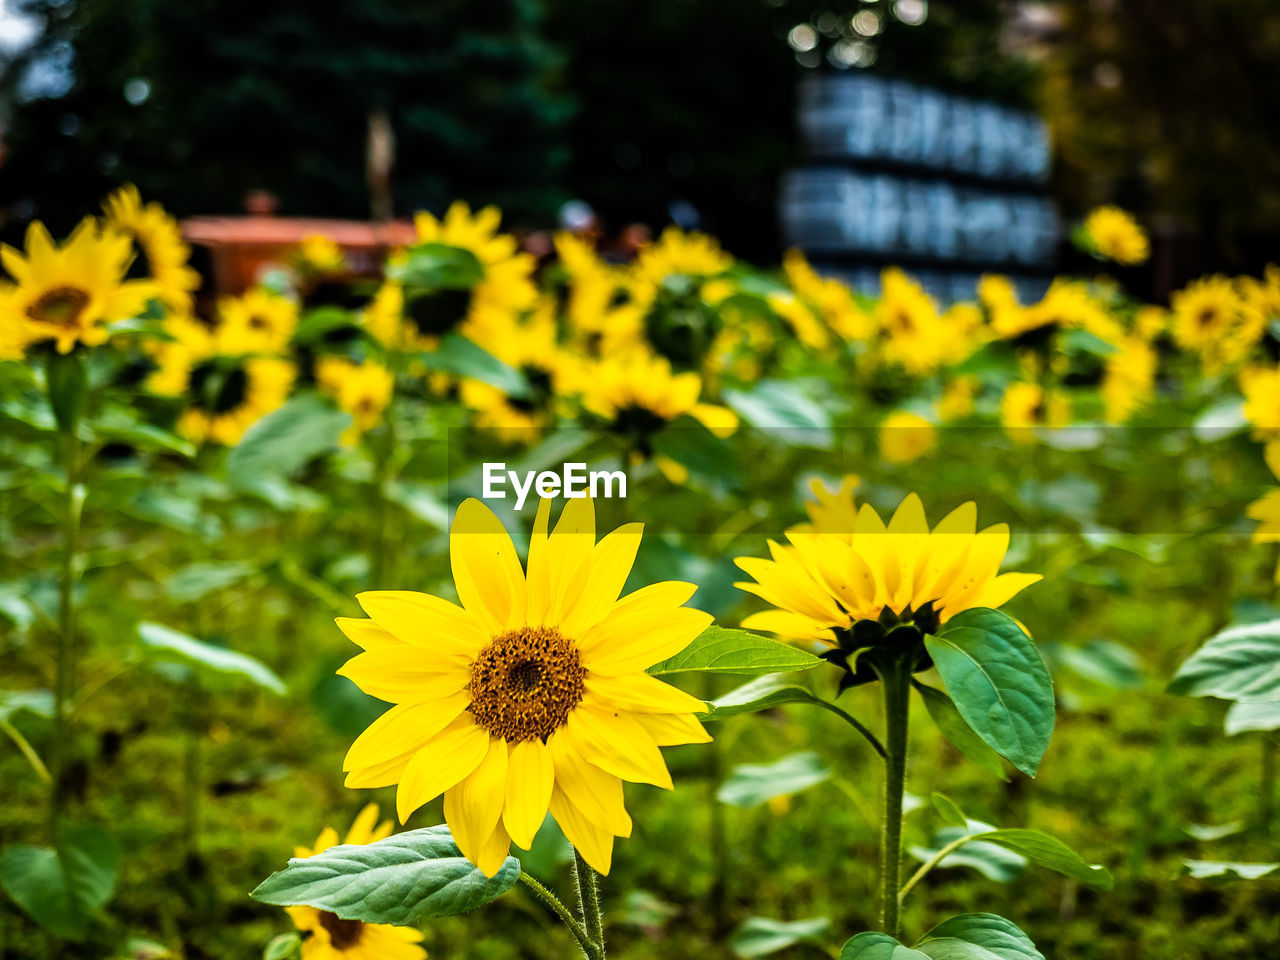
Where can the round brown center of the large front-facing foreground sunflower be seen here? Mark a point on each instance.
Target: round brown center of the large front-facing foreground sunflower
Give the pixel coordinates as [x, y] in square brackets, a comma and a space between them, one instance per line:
[525, 684]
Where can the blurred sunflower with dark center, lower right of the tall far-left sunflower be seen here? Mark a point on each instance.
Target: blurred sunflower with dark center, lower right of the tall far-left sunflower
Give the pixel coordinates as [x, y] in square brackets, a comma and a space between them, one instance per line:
[226, 390]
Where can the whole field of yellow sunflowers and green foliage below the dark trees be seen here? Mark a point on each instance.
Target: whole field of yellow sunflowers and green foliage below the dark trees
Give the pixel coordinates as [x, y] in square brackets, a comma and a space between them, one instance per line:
[506, 607]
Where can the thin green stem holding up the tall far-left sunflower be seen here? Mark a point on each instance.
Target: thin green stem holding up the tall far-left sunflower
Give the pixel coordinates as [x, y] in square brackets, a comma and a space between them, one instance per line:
[65, 676]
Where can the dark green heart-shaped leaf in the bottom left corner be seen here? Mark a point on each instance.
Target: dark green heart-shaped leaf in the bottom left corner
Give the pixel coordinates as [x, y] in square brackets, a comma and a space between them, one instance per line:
[63, 889]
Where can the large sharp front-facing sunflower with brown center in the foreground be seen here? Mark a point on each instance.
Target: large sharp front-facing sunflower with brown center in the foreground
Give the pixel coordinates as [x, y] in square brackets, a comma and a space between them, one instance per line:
[533, 694]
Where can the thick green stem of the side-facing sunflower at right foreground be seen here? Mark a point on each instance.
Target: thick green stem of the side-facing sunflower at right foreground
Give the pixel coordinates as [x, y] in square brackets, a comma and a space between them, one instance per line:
[895, 676]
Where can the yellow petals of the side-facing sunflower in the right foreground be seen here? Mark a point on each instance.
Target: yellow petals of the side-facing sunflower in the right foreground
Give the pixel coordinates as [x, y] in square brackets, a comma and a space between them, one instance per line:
[828, 580]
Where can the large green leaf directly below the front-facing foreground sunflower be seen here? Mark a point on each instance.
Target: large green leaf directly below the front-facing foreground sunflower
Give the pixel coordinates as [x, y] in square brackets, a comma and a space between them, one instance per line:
[404, 880]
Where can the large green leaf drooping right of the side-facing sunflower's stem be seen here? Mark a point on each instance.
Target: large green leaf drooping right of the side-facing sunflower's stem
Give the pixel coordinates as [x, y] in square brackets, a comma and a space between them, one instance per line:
[999, 684]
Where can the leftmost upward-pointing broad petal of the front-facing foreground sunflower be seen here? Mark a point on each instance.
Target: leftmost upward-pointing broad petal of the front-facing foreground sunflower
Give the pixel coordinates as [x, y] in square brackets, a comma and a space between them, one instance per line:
[487, 572]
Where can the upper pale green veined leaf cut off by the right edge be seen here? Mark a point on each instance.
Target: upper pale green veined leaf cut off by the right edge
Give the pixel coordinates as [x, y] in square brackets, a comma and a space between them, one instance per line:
[1240, 664]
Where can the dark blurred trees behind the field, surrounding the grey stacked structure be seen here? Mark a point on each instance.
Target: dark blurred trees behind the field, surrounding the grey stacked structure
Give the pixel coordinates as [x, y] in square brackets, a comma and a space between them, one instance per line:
[1171, 108]
